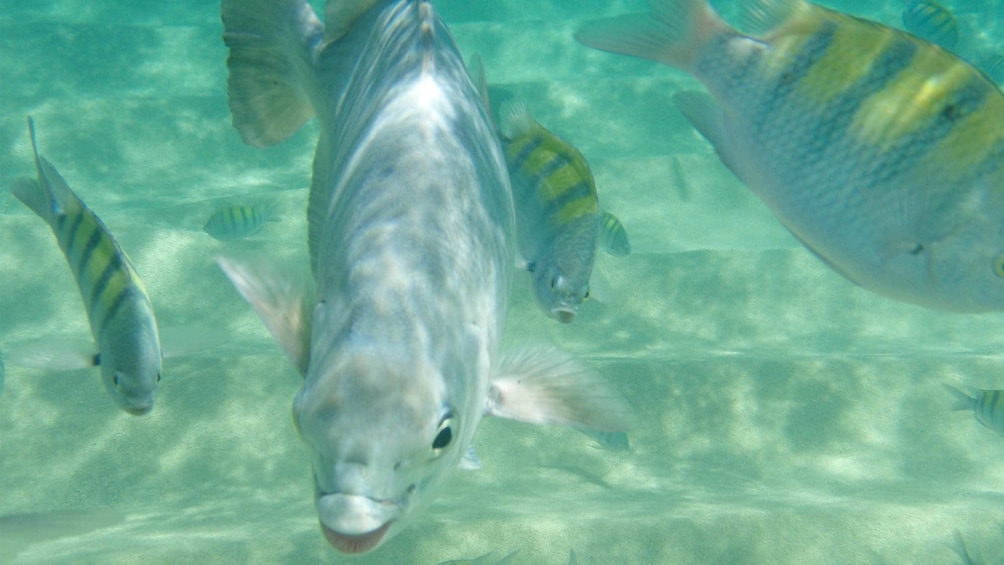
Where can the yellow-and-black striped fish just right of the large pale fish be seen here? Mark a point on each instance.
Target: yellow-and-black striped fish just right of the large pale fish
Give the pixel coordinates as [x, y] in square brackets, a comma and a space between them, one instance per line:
[559, 221]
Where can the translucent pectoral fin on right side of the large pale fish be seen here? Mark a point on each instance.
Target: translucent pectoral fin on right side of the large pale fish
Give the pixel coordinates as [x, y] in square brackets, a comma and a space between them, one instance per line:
[547, 386]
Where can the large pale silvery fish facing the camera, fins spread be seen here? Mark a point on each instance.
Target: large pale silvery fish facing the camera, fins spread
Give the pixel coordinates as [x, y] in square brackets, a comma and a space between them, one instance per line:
[411, 240]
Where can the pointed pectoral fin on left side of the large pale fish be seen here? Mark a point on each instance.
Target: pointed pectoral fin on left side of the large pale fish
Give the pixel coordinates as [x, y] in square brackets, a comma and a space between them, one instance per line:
[283, 298]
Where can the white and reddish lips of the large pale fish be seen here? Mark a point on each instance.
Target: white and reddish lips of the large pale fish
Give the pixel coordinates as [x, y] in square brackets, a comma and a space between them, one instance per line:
[355, 524]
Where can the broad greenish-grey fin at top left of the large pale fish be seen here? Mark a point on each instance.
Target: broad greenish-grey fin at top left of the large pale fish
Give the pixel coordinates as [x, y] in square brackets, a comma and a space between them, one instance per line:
[274, 46]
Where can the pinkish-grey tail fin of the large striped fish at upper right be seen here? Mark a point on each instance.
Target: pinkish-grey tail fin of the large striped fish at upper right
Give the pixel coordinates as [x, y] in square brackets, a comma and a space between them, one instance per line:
[672, 34]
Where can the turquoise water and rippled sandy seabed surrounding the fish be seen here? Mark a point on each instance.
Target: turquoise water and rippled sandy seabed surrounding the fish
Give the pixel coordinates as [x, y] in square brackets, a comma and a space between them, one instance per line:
[786, 416]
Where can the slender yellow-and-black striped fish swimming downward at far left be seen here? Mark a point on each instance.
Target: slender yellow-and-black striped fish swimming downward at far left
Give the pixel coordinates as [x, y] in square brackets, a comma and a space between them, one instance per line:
[119, 310]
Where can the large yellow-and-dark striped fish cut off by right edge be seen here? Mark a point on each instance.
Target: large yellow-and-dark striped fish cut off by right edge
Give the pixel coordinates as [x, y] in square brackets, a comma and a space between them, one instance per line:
[883, 154]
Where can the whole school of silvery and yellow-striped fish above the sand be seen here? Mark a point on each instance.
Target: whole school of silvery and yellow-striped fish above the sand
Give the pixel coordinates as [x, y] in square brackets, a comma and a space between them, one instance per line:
[880, 150]
